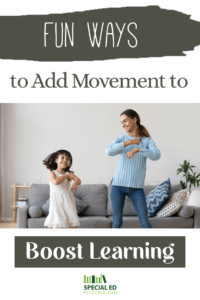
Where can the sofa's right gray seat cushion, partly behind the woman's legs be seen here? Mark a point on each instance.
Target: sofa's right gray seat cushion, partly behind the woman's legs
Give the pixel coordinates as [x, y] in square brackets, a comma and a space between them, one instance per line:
[171, 222]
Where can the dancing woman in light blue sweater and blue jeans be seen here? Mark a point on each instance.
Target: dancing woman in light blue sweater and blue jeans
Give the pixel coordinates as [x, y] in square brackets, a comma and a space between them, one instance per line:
[133, 149]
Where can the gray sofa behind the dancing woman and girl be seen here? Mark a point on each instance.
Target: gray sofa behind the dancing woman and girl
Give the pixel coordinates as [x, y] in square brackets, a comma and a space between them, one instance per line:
[99, 214]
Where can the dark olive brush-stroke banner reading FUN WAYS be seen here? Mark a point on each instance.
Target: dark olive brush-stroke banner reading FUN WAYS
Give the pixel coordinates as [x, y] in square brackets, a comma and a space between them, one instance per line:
[126, 32]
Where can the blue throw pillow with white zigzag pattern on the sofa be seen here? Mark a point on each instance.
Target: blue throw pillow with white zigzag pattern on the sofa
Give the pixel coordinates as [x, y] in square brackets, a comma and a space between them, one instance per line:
[157, 198]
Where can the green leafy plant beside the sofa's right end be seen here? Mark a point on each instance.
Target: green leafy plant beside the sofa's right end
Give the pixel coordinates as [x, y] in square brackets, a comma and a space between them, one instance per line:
[190, 179]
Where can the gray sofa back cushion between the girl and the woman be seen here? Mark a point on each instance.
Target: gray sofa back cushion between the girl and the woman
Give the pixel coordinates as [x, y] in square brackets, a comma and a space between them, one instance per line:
[95, 195]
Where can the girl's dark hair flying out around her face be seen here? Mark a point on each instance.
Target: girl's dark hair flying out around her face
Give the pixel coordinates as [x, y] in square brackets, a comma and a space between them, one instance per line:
[50, 163]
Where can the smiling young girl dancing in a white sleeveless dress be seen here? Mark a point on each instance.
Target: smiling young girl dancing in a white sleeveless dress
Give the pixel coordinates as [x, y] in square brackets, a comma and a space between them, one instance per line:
[62, 210]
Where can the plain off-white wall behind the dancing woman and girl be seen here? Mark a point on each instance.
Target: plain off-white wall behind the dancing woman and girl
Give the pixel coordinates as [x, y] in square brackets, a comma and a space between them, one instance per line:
[32, 131]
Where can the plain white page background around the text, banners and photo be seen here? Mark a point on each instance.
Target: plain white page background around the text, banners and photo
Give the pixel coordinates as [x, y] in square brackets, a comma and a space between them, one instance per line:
[143, 283]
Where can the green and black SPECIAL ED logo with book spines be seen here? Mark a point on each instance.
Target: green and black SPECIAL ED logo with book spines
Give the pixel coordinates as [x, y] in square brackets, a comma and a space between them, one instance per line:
[98, 285]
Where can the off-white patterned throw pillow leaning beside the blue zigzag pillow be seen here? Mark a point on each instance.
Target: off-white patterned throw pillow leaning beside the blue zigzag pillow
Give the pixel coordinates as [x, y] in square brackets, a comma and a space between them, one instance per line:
[173, 204]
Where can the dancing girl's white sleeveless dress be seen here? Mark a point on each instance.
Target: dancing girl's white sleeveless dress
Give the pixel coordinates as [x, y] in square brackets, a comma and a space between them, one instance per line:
[62, 210]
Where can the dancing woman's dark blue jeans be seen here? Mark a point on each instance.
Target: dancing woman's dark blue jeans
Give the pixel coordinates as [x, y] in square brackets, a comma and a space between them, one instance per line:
[138, 200]
